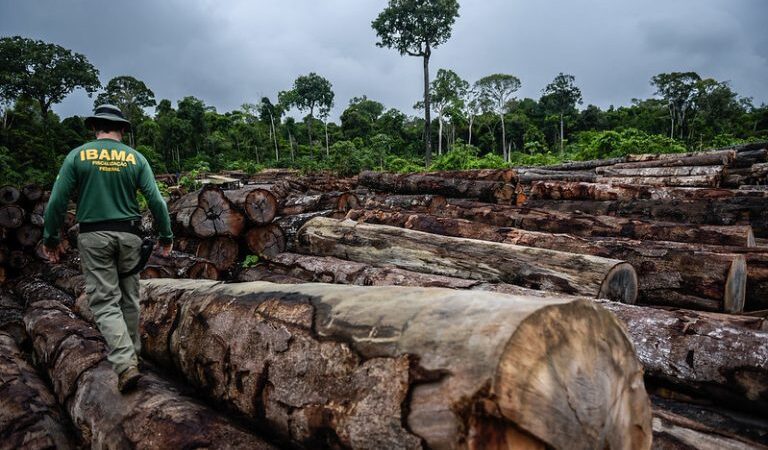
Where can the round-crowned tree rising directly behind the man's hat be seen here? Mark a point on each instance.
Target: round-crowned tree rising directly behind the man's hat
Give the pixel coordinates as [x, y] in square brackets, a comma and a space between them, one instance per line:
[130, 95]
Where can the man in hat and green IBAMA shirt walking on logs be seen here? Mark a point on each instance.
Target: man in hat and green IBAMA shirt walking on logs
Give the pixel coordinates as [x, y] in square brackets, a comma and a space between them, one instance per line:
[107, 174]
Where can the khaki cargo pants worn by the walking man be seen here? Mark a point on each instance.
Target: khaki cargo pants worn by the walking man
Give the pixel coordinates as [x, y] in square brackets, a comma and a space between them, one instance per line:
[114, 301]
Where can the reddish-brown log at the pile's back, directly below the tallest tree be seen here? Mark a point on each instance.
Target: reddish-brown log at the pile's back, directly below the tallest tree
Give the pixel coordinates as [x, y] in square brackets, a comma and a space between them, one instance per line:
[491, 191]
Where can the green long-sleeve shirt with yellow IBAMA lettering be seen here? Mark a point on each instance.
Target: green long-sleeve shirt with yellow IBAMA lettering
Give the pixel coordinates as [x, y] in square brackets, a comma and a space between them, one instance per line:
[107, 174]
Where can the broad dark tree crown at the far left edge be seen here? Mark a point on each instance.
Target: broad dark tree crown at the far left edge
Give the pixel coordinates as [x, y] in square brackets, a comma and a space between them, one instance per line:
[44, 72]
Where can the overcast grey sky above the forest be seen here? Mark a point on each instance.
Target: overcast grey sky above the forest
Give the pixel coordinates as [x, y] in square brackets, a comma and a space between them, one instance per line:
[231, 52]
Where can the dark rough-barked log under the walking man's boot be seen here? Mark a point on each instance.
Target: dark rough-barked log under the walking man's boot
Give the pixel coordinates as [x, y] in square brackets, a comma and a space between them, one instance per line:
[155, 415]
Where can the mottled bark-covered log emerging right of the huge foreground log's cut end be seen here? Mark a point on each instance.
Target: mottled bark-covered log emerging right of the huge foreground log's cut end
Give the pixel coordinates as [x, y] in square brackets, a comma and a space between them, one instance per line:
[705, 354]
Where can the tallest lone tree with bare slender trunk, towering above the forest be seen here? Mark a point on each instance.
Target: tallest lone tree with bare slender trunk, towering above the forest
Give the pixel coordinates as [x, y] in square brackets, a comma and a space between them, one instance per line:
[415, 27]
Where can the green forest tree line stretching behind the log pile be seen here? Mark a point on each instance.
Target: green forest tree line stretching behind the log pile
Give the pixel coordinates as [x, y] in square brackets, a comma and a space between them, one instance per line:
[478, 123]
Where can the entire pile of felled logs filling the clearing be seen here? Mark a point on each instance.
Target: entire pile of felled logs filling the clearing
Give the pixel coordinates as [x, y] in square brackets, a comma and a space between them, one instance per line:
[672, 245]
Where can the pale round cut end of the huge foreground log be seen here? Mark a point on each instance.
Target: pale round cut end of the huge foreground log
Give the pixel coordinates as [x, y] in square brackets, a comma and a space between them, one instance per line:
[569, 376]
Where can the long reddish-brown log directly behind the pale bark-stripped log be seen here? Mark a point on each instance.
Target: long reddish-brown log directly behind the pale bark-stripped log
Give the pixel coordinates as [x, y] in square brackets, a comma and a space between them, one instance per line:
[668, 273]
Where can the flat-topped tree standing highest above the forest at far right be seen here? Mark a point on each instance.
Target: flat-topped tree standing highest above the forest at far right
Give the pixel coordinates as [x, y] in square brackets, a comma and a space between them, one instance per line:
[679, 91]
